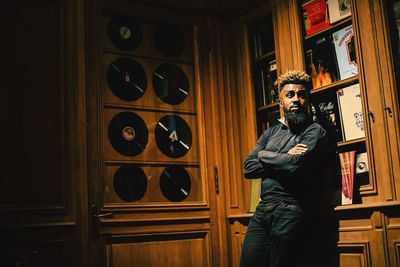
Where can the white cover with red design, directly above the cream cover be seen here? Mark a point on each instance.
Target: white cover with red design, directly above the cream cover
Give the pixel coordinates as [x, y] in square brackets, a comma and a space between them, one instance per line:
[343, 40]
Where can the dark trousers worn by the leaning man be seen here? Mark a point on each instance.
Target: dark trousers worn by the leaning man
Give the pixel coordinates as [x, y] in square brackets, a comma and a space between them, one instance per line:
[275, 237]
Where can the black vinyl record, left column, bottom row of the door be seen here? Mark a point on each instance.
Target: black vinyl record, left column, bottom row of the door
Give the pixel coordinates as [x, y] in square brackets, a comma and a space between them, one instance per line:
[130, 183]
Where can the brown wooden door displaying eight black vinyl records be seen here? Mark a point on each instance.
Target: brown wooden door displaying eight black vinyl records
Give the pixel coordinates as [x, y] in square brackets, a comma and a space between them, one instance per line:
[150, 170]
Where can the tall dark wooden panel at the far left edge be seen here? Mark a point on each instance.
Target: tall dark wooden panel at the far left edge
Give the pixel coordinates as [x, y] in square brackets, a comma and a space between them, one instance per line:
[32, 113]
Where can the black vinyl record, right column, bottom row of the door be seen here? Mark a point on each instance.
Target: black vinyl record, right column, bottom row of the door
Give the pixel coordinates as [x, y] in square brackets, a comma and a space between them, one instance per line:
[175, 183]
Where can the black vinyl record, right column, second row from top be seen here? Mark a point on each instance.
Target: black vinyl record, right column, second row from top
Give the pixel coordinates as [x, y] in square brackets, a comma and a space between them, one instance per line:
[170, 84]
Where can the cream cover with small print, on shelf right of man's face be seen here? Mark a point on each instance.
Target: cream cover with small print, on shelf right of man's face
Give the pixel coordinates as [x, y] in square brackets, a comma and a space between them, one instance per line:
[351, 115]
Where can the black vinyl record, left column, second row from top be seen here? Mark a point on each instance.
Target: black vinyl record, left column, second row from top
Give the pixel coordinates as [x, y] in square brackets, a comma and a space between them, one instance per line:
[127, 79]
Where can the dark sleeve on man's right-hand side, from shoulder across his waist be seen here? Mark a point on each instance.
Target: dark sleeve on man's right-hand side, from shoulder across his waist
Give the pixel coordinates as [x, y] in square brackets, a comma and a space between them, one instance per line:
[315, 139]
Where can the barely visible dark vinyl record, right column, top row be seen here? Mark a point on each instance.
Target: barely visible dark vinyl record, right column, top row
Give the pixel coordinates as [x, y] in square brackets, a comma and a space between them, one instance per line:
[169, 40]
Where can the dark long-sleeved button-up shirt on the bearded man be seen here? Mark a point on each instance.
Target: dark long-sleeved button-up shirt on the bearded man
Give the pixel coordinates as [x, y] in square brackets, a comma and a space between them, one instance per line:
[285, 177]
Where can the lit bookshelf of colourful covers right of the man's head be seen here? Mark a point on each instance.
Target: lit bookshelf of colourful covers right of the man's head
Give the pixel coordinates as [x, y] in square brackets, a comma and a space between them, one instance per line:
[330, 59]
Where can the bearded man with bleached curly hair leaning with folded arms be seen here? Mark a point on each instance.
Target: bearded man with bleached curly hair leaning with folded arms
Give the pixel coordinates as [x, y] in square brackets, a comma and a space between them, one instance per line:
[288, 158]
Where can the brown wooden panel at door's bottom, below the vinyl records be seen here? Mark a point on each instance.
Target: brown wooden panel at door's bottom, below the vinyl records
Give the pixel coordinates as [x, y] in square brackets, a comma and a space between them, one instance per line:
[180, 250]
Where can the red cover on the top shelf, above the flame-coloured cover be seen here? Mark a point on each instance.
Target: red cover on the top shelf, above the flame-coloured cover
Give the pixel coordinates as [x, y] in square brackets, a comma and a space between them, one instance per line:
[315, 16]
